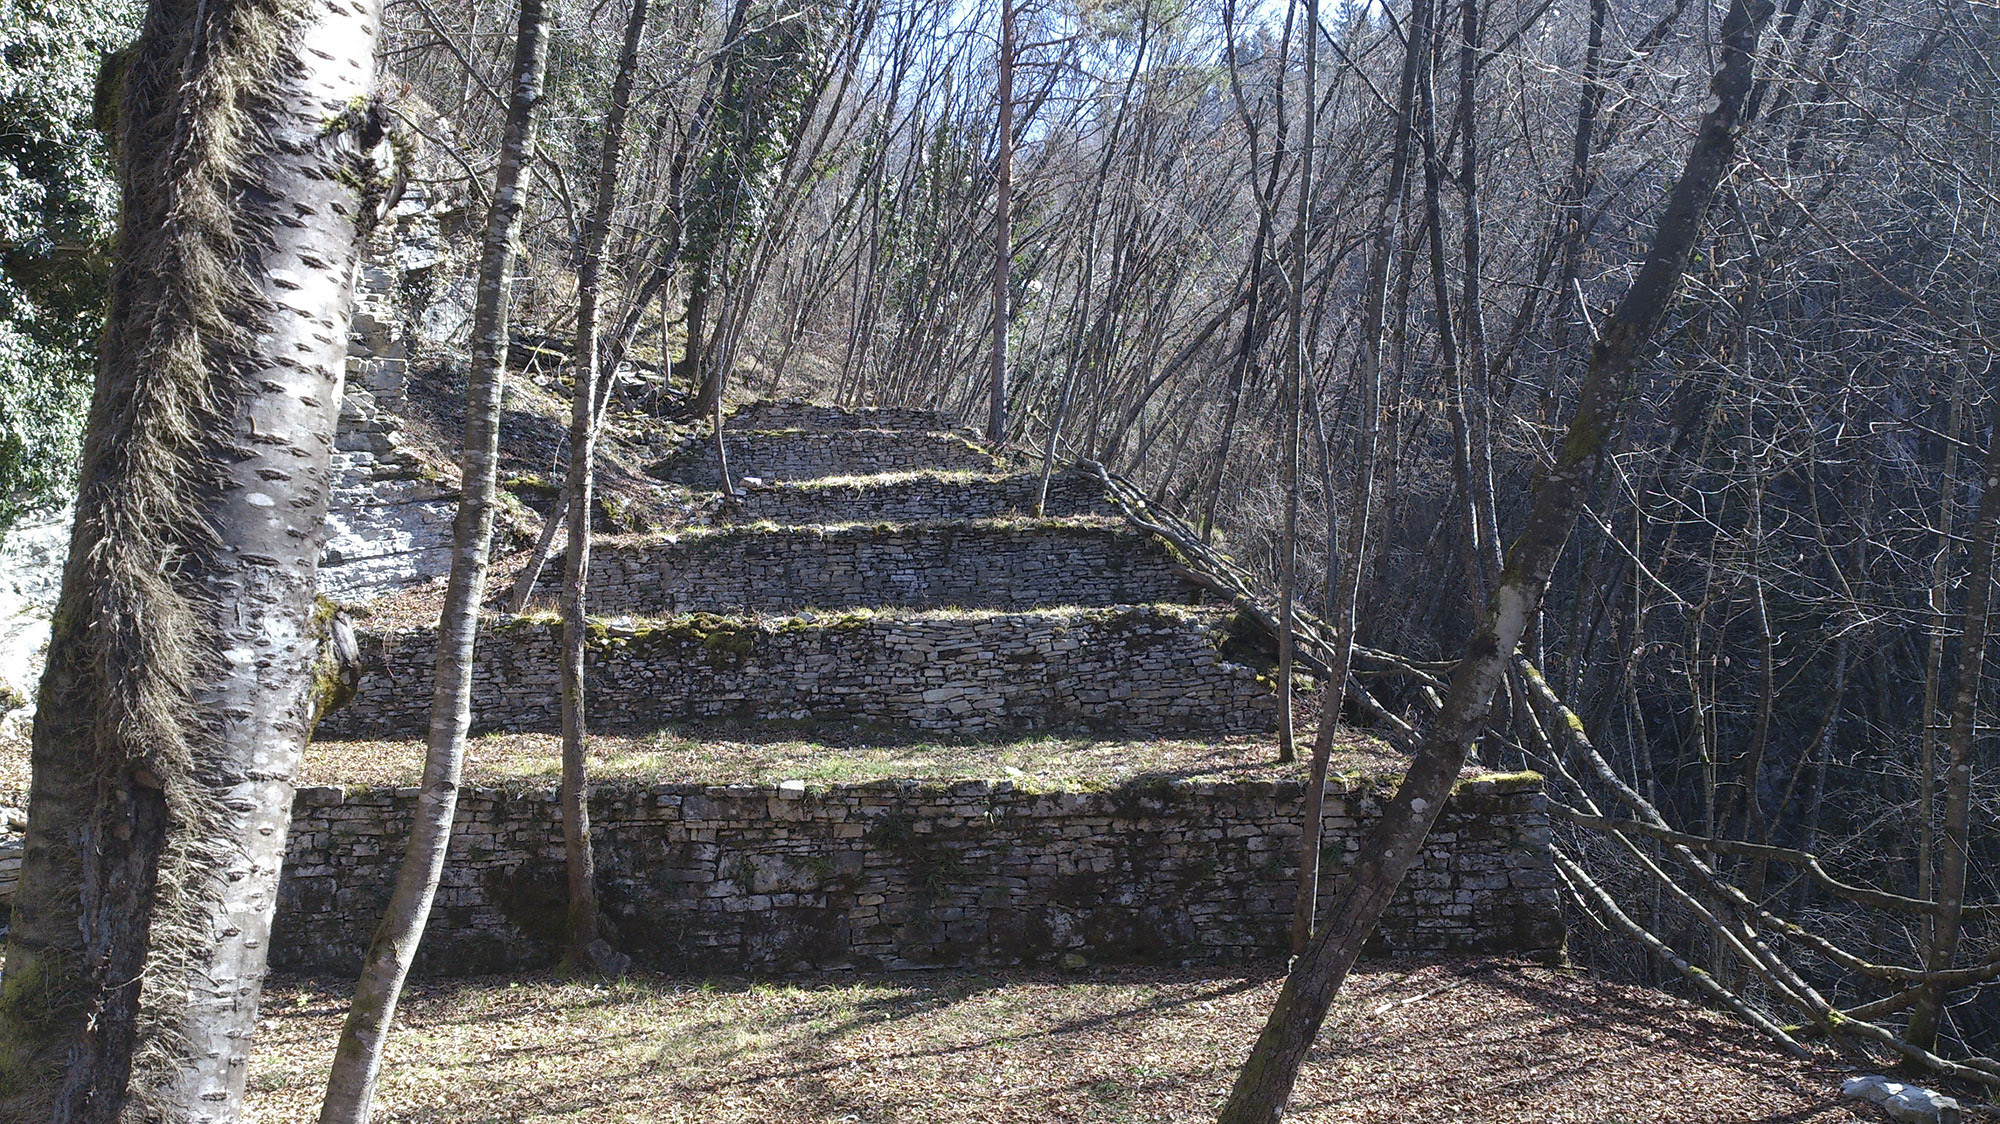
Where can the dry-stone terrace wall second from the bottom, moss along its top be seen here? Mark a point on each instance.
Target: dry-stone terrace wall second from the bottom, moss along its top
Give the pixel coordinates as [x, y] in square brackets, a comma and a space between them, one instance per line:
[1145, 669]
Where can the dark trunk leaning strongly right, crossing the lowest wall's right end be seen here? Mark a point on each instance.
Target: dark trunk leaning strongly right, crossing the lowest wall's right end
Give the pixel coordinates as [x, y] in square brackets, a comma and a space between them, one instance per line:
[1395, 843]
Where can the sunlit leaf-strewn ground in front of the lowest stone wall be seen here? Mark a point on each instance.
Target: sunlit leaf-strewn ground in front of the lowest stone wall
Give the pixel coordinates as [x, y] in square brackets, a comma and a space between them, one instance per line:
[1441, 1043]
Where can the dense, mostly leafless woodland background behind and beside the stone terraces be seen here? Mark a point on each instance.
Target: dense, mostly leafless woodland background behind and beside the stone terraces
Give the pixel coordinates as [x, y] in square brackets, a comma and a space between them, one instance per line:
[1763, 613]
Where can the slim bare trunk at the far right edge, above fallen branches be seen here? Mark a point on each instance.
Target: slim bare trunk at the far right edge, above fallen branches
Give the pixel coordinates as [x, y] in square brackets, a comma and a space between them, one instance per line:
[1955, 839]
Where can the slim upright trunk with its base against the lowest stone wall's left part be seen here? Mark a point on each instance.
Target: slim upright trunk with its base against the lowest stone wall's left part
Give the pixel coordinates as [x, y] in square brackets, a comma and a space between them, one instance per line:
[583, 917]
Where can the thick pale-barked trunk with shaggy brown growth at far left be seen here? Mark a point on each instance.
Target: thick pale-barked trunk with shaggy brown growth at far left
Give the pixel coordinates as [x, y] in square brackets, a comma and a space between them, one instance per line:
[179, 687]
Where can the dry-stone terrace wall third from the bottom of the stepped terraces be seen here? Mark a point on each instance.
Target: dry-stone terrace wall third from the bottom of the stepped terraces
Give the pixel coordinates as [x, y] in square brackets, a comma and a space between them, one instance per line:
[971, 565]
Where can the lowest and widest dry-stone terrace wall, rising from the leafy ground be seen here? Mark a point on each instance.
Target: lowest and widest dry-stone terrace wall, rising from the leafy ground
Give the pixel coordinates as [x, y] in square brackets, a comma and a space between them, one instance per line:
[733, 879]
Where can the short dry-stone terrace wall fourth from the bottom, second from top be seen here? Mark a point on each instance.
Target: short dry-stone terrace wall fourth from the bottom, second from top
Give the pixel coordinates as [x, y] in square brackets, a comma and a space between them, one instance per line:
[921, 499]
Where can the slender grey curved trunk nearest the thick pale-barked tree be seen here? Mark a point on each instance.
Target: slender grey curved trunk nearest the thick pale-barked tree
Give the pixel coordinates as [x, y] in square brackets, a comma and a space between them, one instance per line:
[359, 1057]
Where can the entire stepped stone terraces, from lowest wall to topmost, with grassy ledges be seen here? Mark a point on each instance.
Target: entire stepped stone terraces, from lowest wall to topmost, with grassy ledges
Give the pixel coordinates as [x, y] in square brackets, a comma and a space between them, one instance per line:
[885, 595]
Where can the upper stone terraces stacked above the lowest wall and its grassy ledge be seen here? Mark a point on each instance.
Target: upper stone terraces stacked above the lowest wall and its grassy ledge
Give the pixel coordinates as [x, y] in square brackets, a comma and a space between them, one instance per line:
[981, 619]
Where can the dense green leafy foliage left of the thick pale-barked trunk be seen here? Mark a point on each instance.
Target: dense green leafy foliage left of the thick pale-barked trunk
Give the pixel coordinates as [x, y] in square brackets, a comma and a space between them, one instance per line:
[57, 209]
